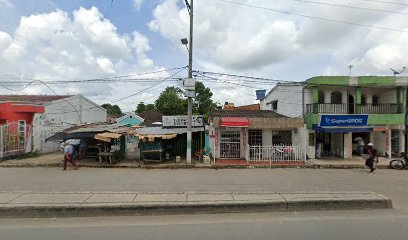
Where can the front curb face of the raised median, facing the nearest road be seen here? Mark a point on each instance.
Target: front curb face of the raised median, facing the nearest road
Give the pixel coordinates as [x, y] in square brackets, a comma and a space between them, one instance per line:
[94, 210]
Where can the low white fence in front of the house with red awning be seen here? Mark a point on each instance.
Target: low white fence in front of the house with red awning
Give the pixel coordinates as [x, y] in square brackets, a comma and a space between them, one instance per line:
[276, 154]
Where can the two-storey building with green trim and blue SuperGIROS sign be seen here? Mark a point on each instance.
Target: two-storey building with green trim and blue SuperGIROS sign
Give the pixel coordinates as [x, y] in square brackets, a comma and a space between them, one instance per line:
[341, 111]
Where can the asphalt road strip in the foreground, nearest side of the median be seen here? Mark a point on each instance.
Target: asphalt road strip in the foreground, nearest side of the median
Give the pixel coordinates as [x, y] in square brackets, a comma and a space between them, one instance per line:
[372, 225]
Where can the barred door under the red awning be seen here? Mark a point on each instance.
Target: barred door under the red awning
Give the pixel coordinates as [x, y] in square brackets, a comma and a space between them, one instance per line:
[230, 144]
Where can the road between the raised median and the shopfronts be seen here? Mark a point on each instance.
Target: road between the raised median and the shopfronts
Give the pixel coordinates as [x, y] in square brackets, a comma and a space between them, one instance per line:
[391, 183]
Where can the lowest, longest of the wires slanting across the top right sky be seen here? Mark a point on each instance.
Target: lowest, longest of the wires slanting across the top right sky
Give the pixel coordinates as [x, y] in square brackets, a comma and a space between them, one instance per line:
[317, 18]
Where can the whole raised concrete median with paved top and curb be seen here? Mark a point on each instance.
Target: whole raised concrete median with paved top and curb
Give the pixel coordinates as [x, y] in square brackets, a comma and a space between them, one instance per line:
[78, 204]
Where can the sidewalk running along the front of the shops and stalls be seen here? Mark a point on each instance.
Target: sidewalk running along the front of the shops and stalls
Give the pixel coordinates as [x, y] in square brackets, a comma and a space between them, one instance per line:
[54, 160]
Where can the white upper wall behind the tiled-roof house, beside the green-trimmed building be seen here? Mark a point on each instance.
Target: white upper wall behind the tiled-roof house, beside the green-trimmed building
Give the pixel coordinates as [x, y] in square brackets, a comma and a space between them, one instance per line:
[289, 100]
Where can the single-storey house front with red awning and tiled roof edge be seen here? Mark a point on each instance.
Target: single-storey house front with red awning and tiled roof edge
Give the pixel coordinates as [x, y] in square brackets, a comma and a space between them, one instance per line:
[233, 133]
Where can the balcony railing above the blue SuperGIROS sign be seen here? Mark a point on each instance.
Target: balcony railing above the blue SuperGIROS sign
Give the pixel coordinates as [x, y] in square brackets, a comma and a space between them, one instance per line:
[383, 108]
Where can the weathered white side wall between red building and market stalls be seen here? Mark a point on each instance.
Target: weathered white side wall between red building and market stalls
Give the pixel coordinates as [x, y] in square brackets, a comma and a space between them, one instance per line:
[60, 115]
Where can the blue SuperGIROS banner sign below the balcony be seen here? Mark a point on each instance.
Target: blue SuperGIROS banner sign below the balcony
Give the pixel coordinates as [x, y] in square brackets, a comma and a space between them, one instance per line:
[343, 120]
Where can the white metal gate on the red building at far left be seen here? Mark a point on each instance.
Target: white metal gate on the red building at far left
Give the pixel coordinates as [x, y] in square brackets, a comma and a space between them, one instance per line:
[15, 139]
